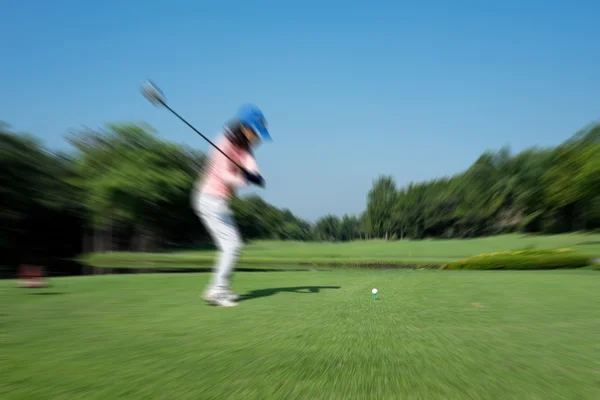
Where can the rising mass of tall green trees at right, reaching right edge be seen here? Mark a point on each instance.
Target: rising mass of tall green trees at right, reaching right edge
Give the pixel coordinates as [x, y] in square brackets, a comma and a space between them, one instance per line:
[537, 190]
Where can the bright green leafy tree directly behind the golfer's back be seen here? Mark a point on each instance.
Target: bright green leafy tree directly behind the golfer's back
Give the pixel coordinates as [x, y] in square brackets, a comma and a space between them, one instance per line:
[132, 181]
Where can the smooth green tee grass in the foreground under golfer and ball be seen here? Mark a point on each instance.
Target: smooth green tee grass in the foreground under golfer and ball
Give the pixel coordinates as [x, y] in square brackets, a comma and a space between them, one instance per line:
[429, 335]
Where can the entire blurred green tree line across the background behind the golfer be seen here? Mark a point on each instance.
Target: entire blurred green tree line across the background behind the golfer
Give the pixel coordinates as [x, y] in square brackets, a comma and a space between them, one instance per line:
[124, 188]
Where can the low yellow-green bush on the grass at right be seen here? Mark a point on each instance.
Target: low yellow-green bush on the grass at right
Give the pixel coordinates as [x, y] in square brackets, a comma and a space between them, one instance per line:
[522, 260]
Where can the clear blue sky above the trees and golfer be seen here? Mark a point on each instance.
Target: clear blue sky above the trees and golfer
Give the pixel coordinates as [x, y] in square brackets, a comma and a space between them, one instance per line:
[351, 90]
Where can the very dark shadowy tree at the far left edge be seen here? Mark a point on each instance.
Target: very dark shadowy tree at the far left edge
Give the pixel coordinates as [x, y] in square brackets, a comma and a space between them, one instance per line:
[36, 199]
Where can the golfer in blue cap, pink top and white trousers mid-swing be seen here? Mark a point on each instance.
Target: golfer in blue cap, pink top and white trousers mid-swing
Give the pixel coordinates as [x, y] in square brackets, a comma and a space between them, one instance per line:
[215, 188]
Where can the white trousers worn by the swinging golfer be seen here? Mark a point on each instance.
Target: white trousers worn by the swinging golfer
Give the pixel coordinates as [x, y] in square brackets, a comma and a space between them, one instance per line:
[218, 220]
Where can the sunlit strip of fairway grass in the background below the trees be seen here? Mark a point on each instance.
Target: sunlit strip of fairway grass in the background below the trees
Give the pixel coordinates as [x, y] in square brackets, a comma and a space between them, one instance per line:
[357, 253]
